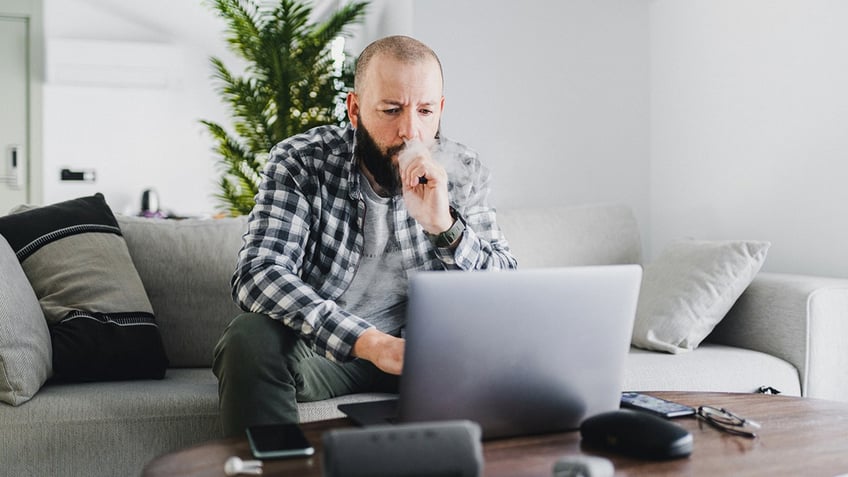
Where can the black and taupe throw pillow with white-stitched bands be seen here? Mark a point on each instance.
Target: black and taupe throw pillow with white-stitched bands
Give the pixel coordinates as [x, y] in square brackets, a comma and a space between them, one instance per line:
[101, 322]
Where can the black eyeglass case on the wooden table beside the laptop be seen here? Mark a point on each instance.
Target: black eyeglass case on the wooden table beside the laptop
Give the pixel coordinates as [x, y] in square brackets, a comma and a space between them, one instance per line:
[636, 434]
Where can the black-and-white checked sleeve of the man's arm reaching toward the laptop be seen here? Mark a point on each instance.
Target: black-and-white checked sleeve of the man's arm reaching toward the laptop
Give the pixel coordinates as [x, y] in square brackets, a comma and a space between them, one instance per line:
[268, 277]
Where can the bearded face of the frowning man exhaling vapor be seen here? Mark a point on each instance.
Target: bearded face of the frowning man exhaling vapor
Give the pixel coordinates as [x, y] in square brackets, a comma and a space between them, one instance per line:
[398, 102]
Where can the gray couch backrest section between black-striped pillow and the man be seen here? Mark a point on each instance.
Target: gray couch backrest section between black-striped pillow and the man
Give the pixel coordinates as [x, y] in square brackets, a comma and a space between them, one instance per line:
[186, 266]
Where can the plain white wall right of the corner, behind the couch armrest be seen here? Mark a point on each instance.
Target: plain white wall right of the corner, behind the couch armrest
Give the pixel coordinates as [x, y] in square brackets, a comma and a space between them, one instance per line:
[749, 127]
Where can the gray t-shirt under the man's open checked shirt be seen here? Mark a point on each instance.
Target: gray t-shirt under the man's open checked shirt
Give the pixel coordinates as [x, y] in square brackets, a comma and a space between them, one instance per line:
[378, 291]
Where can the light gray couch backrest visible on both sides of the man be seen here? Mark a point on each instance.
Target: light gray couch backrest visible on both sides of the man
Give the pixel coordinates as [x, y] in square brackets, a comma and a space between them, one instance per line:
[186, 265]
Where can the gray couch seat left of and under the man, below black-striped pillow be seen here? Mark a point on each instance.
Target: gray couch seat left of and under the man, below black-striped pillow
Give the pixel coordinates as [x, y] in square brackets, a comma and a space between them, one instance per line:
[120, 426]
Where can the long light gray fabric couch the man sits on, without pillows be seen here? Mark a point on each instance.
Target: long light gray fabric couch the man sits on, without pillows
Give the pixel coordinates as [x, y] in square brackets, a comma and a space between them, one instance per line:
[783, 333]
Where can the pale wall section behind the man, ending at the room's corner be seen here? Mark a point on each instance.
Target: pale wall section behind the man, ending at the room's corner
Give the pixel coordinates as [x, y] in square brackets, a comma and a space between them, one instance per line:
[554, 95]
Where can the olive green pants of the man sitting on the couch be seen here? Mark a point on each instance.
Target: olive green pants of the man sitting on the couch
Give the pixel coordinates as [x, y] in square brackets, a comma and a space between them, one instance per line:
[264, 369]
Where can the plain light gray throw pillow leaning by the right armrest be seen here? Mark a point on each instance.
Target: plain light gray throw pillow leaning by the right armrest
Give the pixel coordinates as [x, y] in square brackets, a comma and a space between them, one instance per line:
[689, 288]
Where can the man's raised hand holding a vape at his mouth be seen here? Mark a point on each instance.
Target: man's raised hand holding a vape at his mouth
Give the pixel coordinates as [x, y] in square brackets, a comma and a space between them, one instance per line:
[427, 201]
